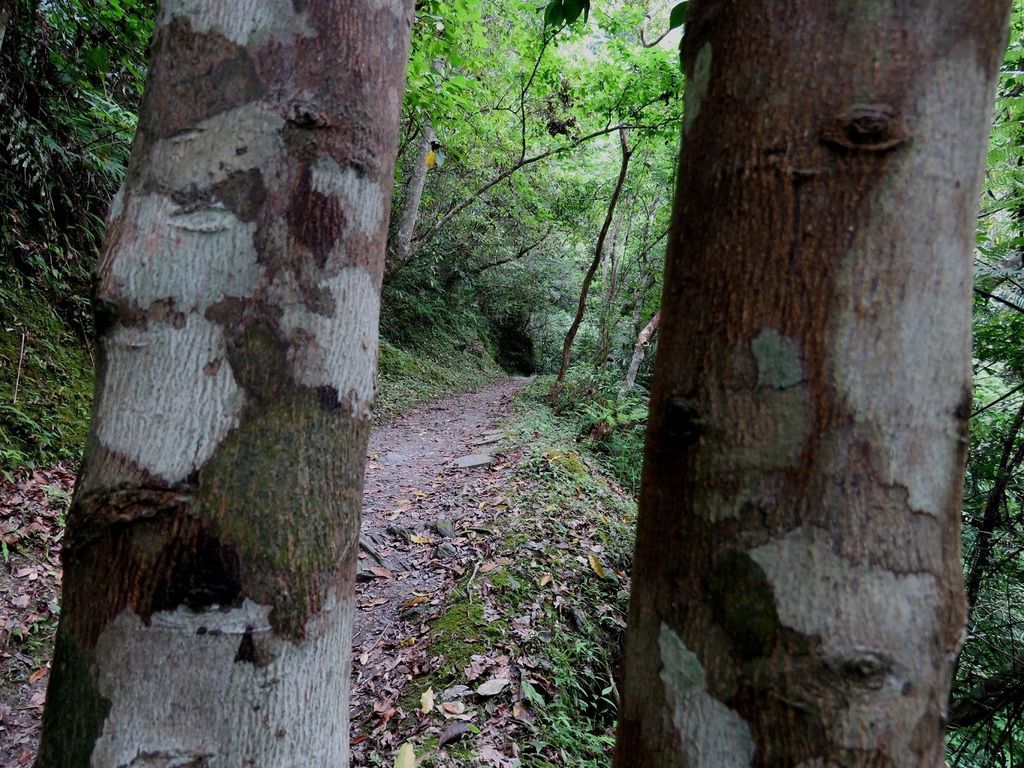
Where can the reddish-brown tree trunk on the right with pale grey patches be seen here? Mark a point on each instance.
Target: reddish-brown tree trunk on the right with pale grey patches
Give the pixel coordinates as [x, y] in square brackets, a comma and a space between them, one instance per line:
[798, 598]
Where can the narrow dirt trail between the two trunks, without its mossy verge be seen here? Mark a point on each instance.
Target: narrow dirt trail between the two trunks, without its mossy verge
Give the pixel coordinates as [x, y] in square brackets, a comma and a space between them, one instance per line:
[421, 515]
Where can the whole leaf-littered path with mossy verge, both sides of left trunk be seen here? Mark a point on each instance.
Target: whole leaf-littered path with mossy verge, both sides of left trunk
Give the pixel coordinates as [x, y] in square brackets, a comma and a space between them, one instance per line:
[491, 600]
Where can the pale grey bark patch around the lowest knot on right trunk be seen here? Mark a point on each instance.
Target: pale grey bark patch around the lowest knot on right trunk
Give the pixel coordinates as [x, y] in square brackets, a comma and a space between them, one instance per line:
[860, 616]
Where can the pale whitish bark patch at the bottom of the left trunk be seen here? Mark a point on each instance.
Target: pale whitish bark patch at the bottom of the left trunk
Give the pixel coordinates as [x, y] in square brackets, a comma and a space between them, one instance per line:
[182, 656]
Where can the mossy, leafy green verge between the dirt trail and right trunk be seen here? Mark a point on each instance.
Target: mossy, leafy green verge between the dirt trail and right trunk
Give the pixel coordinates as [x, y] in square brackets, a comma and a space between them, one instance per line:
[568, 541]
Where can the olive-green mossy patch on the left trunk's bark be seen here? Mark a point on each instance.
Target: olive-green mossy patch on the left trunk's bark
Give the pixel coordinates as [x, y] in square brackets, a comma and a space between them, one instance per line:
[290, 459]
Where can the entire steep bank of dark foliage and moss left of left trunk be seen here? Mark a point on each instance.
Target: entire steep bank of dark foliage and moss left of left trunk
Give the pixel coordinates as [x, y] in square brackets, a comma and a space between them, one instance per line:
[71, 75]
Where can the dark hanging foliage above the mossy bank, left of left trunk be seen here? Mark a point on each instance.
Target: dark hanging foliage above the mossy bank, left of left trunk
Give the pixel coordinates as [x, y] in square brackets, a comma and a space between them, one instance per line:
[71, 75]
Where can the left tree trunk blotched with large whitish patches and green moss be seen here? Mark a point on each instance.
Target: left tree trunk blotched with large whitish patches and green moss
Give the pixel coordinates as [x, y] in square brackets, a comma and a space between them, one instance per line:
[211, 546]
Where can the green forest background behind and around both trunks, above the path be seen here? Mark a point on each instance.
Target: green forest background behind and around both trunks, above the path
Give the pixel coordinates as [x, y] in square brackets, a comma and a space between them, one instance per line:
[511, 150]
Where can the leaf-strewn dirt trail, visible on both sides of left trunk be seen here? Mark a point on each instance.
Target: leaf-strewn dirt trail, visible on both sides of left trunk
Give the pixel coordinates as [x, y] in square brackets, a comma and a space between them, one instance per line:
[421, 528]
